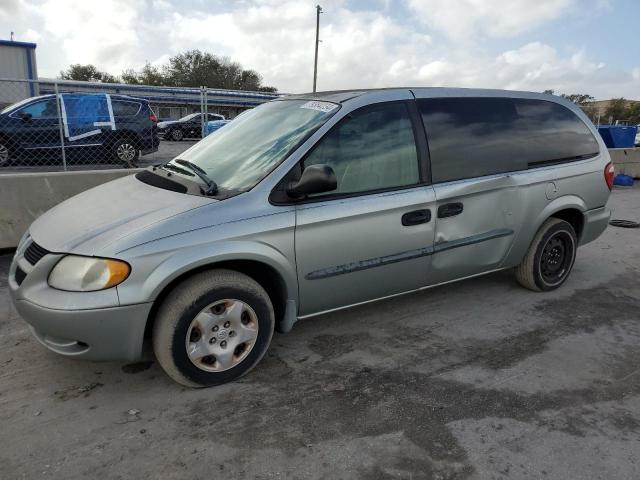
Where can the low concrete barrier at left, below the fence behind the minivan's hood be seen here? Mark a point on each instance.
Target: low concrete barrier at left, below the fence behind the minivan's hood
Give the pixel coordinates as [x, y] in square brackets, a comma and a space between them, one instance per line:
[26, 196]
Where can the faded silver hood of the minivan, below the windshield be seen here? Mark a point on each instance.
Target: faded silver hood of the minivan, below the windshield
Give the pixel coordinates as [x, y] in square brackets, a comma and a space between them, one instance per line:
[90, 221]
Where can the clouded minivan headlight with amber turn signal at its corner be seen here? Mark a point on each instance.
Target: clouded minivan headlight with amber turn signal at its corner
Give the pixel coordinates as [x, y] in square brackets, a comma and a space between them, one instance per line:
[88, 274]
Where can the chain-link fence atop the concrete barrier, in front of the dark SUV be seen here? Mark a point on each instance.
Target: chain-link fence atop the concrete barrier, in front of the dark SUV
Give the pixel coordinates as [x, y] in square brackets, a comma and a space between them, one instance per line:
[50, 125]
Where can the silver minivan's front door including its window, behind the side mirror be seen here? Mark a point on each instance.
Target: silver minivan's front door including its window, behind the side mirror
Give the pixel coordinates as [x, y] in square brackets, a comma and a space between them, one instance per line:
[373, 236]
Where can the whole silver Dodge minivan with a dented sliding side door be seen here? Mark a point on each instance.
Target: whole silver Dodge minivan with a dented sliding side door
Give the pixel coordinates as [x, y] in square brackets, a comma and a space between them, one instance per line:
[309, 204]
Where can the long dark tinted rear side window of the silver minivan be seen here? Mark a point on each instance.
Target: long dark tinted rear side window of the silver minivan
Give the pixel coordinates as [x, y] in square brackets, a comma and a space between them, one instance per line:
[472, 137]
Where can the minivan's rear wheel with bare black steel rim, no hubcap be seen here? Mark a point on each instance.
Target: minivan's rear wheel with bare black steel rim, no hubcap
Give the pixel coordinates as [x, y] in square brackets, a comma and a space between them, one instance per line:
[550, 257]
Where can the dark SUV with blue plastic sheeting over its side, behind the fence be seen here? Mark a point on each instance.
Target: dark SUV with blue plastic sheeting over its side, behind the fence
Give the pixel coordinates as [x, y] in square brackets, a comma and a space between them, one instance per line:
[31, 132]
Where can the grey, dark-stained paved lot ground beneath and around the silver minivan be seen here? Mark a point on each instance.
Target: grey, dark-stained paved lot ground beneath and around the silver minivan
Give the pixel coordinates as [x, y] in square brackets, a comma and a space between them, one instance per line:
[479, 379]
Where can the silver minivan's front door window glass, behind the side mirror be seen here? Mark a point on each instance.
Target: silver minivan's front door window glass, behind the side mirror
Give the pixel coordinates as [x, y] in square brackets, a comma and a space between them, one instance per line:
[372, 149]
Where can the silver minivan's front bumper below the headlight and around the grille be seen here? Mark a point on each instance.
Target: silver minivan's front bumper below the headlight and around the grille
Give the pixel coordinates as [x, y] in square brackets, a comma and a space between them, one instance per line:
[90, 325]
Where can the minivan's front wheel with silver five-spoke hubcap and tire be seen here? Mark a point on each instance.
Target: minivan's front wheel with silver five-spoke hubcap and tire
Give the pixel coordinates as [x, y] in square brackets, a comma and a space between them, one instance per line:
[184, 344]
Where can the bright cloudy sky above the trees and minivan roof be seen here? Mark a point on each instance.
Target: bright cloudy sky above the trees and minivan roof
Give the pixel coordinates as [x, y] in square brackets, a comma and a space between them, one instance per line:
[571, 46]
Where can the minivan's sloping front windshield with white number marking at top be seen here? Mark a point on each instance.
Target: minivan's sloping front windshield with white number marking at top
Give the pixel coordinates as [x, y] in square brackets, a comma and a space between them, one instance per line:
[242, 153]
